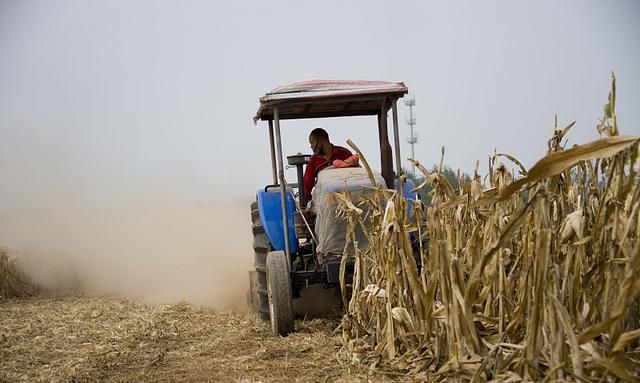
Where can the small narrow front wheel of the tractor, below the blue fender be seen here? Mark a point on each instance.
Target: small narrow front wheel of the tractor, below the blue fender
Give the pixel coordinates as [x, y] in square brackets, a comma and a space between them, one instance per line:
[279, 292]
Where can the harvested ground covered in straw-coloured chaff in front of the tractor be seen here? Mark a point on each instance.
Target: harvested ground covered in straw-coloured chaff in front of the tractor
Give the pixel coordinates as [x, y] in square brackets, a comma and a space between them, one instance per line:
[81, 338]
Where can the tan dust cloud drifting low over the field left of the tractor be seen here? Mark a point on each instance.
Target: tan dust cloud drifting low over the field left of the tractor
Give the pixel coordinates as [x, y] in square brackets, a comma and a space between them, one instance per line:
[158, 247]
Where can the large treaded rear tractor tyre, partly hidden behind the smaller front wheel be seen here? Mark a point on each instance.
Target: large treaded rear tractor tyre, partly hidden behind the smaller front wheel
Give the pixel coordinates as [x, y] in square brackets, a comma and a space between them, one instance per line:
[261, 247]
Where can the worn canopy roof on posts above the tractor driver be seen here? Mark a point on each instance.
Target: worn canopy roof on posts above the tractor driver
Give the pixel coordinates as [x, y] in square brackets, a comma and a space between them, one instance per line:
[329, 98]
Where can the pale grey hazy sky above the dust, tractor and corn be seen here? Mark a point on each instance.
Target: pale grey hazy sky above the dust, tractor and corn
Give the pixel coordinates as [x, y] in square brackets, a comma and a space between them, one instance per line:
[119, 98]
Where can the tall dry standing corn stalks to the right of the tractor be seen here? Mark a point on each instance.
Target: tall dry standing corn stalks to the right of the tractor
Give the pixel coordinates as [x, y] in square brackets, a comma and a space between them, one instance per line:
[514, 277]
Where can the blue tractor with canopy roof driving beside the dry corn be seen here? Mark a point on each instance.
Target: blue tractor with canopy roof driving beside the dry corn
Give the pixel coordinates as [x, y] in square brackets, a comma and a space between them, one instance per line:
[292, 250]
